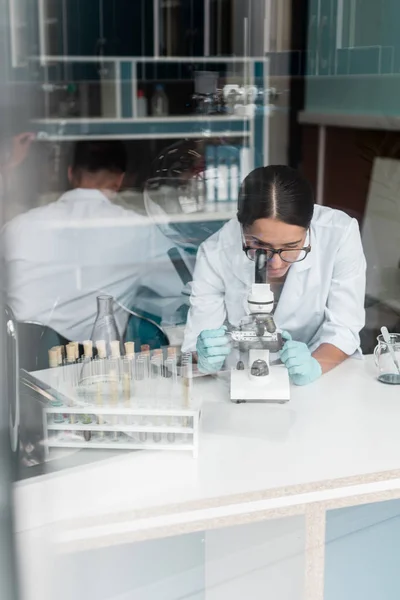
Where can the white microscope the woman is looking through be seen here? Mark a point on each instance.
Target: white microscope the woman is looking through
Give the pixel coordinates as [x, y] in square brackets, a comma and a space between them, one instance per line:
[254, 379]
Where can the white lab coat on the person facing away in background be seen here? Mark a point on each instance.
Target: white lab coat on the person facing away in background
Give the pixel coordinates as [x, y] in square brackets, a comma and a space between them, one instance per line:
[59, 257]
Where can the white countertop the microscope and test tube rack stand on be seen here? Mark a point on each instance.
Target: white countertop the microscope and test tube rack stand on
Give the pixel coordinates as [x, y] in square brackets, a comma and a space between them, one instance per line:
[336, 437]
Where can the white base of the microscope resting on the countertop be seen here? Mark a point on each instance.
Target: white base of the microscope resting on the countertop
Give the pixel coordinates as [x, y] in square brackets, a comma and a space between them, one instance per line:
[275, 388]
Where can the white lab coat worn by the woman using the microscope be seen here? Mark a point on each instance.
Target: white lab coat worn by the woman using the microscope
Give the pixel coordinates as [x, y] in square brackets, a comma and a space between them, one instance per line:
[322, 300]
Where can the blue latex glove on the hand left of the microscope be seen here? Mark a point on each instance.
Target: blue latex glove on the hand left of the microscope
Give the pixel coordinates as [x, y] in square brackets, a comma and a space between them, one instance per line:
[213, 346]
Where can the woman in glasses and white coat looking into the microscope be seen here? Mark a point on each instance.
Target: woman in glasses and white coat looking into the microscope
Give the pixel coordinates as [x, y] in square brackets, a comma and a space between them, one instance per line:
[315, 265]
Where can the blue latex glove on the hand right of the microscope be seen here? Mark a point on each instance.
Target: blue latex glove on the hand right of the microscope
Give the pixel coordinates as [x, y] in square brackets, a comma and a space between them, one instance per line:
[302, 366]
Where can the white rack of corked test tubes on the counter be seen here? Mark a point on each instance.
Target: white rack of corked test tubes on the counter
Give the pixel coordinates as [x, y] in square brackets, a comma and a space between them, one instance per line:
[145, 415]
